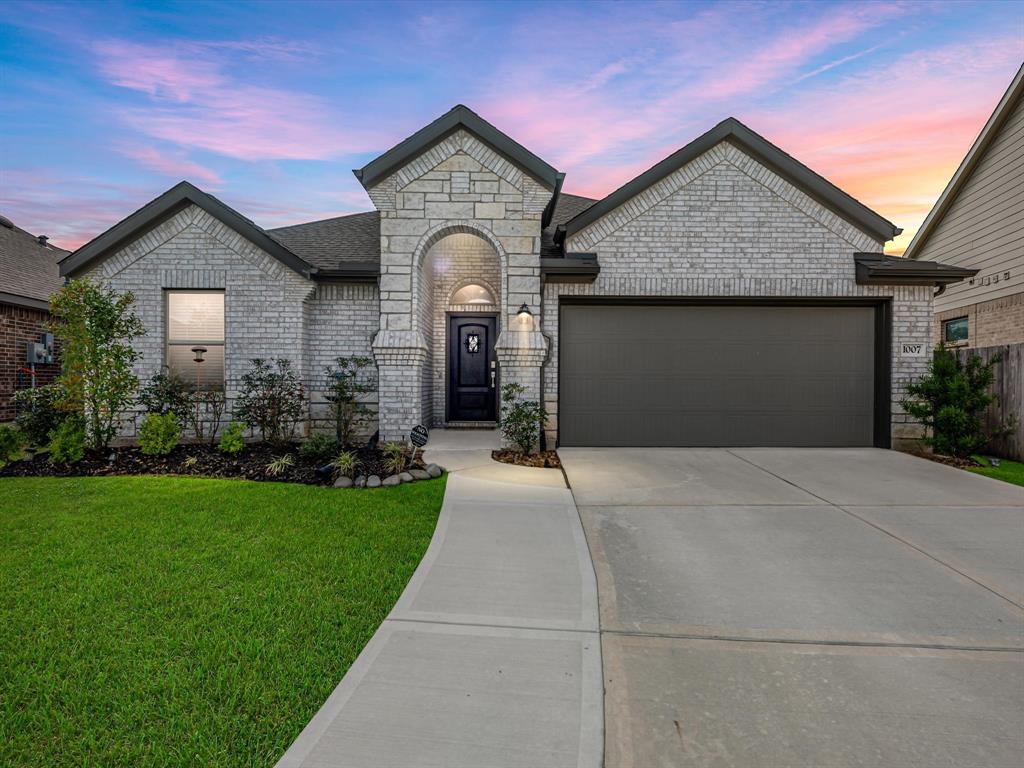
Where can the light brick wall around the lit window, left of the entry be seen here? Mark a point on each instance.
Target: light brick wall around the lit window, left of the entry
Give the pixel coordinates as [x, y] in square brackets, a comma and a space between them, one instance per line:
[271, 312]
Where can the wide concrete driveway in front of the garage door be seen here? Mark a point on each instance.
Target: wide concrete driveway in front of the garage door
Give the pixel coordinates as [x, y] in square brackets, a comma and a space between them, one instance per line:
[804, 608]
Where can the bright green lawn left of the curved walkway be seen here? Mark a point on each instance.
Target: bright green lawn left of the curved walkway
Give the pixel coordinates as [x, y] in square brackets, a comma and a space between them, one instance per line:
[172, 622]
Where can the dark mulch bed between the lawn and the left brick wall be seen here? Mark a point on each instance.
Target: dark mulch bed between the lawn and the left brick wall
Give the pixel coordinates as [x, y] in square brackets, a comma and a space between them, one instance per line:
[250, 464]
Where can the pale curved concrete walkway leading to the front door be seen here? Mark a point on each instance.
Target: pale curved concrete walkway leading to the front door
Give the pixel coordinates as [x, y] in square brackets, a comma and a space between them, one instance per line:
[491, 658]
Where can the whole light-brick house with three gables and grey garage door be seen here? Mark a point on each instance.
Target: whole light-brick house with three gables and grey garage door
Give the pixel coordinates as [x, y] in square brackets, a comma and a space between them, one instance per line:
[728, 296]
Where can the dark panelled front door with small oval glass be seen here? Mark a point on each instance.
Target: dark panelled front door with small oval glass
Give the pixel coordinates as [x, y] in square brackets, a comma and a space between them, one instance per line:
[473, 368]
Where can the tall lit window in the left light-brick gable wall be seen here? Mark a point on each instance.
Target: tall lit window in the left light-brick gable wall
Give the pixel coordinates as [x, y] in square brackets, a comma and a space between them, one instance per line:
[196, 320]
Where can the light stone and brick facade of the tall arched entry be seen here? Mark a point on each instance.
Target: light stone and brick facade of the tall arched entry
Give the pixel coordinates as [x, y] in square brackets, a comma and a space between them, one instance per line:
[458, 187]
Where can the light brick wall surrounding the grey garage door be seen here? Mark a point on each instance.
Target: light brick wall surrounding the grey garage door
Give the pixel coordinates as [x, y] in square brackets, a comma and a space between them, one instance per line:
[727, 226]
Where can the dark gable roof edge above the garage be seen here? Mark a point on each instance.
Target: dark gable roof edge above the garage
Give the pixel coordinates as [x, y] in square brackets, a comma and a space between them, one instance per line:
[734, 132]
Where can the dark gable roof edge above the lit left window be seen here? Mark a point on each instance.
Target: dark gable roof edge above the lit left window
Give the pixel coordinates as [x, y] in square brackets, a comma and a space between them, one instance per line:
[168, 204]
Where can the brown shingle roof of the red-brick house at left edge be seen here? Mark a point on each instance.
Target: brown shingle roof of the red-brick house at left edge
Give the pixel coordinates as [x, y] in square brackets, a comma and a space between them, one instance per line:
[29, 273]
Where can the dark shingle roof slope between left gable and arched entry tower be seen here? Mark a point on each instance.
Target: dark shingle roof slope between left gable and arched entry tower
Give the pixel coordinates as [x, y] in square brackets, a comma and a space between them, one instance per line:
[335, 243]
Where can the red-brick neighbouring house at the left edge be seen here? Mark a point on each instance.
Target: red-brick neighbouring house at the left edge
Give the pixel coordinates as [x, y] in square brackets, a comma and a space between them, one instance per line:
[28, 277]
